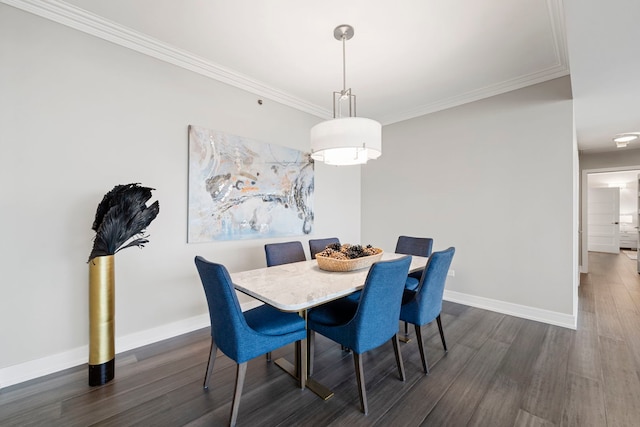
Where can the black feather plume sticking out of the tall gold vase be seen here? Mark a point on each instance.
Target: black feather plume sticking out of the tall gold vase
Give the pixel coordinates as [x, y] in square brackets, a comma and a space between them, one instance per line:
[121, 219]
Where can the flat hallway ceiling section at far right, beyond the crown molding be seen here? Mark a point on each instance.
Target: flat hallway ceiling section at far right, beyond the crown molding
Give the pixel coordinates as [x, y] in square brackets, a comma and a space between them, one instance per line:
[604, 55]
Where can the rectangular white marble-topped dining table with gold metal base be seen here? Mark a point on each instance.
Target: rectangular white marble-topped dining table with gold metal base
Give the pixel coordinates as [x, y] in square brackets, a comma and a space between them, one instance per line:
[300, 286]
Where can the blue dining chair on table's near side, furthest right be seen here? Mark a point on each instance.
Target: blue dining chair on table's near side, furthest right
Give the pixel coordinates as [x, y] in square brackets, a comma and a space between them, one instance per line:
[423, 305]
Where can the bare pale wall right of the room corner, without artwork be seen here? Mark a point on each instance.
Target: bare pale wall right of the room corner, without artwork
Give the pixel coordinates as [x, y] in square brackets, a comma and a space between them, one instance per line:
[494, 178]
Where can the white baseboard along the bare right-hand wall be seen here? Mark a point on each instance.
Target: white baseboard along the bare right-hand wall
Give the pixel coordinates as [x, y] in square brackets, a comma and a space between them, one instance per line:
[525, 312]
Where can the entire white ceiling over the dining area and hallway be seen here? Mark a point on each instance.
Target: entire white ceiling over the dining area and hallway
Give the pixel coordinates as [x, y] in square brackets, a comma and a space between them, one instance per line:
[406, 59]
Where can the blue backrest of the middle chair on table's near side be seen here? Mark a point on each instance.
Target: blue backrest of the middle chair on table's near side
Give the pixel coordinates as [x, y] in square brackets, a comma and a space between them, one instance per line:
[376, 320]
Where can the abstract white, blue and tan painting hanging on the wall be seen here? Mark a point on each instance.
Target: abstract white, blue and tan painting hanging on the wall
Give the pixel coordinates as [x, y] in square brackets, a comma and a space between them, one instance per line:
[245, 189]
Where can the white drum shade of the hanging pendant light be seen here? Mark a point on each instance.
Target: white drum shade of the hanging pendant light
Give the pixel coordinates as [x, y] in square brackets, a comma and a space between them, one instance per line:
[346, 141]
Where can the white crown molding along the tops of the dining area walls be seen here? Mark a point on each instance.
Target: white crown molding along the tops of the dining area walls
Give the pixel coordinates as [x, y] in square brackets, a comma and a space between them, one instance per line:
[79, 19]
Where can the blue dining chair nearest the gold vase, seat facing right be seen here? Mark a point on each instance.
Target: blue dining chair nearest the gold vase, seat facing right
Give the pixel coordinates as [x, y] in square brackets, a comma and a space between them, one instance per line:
[243, 336]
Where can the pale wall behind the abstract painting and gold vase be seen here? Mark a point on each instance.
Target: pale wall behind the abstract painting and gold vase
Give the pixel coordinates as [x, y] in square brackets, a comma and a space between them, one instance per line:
[79, 115]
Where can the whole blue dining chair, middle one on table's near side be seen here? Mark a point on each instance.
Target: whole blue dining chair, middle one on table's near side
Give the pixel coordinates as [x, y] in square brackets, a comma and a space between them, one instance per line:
[368, 323]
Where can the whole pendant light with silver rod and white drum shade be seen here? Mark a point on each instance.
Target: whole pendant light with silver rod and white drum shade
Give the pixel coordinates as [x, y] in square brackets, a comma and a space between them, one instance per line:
[346, 139]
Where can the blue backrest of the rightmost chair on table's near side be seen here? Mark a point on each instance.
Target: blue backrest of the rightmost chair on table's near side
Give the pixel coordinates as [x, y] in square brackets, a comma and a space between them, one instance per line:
[428, 297]
